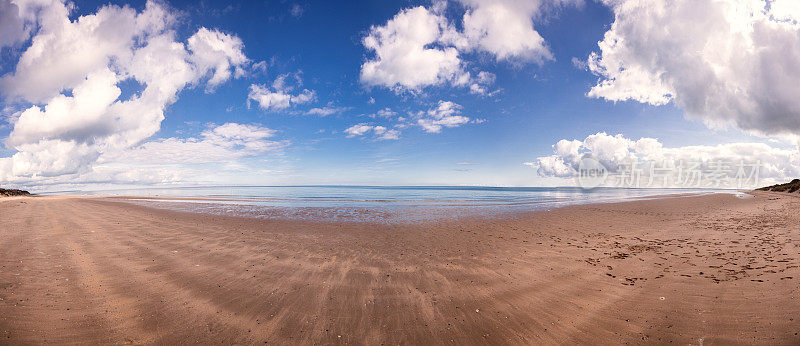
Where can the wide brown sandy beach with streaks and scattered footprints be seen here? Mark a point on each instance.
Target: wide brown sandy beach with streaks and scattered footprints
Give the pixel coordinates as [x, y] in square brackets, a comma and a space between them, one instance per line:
[691, 270]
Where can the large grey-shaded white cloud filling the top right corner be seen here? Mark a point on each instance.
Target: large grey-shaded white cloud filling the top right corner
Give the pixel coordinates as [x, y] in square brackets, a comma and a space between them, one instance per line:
[727, 63]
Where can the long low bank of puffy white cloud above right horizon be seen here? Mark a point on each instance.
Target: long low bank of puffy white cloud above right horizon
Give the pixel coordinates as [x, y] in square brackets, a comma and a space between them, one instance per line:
[776, 164]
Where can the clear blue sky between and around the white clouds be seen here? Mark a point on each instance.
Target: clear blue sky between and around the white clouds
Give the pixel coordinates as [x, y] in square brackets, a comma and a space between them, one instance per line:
[318, 45]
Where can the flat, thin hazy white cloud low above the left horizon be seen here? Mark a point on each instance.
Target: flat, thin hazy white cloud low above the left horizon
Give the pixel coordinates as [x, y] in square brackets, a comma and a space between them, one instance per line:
[214, 156]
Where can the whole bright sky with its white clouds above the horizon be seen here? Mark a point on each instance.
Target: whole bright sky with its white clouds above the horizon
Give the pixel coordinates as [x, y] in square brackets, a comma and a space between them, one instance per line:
[465, 92]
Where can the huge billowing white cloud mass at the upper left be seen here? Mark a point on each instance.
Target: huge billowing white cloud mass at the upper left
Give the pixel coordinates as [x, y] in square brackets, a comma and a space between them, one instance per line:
[70, 75]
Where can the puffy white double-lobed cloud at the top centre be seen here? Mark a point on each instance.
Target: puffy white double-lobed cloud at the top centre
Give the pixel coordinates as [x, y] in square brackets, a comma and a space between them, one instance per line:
[420, 47]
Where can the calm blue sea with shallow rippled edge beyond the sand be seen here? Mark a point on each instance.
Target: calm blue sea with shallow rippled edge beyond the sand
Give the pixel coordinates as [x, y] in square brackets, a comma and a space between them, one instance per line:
[384, 204]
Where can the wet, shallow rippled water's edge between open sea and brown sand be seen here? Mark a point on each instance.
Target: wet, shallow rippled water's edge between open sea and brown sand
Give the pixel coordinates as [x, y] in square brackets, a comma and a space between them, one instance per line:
[381, 212]
